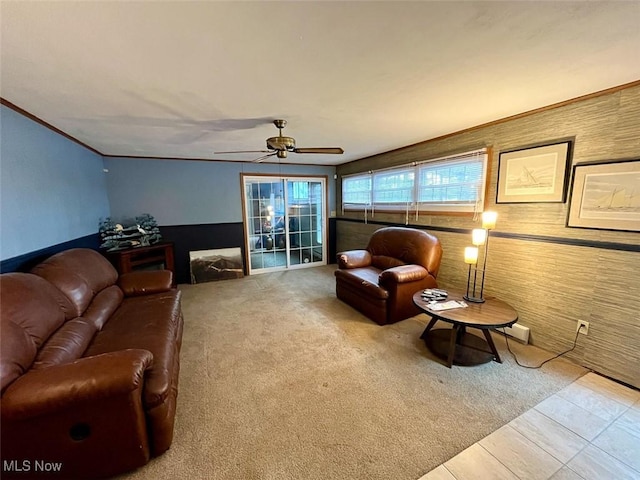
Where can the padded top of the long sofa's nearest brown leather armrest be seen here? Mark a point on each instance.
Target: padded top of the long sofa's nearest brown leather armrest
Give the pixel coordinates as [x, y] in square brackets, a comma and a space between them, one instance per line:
[42, 392]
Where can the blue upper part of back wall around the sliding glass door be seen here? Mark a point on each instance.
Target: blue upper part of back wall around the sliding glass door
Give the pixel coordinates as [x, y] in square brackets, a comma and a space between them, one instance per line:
[186, 192]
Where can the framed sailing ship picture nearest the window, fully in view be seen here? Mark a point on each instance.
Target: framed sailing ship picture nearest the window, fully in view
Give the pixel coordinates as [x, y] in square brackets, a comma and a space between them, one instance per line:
[534, 174]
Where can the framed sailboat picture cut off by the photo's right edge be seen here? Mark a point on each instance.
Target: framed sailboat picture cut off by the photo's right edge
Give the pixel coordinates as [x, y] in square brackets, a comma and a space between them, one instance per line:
[606, 195]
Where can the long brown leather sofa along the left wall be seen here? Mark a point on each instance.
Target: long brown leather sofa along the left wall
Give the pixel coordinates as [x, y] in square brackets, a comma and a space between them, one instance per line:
[89, 367]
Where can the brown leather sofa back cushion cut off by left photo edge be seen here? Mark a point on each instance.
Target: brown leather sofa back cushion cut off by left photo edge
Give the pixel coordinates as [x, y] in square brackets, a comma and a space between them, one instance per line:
[30, 314]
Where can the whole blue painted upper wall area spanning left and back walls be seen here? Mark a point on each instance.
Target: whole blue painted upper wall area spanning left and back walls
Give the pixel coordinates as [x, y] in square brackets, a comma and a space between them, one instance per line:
[54, 191]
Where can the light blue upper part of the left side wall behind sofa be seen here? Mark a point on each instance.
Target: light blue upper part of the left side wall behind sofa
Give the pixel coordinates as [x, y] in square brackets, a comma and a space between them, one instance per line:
[52, 190]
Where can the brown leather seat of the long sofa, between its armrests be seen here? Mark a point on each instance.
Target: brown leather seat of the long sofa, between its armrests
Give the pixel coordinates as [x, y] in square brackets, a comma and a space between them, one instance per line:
[150, 322]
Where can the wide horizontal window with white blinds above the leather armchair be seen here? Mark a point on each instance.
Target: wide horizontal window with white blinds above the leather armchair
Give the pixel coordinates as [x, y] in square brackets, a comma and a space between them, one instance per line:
[450, 184]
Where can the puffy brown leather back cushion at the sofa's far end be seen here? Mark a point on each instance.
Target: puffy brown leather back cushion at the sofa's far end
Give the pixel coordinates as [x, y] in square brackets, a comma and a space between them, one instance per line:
[80, 274]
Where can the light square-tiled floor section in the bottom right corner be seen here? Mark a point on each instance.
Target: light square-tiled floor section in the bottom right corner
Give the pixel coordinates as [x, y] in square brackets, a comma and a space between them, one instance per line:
[590, 430]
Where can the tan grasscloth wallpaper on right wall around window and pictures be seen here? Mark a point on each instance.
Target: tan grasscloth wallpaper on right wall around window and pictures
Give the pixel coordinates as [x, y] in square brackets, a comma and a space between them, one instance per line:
[553, 275]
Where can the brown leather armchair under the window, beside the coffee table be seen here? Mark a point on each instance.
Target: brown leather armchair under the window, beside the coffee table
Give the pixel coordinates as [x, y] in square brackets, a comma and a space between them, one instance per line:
[380, 281]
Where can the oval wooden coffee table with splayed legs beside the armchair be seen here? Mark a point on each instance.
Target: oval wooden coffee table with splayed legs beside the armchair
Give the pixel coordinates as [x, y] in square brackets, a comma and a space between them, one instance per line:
[457, 346]
